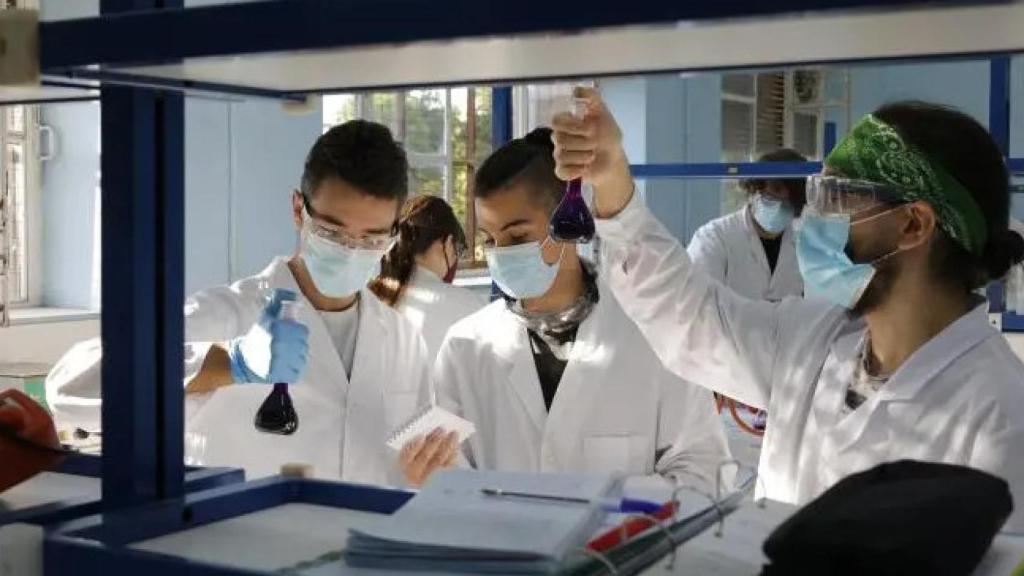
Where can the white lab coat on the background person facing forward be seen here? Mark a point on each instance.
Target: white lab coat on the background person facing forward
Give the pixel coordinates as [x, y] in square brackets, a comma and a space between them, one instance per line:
[731, 252]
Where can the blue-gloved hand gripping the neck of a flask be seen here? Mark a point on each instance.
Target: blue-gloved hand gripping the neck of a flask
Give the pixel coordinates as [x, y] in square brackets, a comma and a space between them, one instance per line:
[275, 350]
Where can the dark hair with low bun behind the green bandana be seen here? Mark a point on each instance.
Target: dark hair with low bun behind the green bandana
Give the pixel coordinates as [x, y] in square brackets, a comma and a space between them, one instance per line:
[965, 149]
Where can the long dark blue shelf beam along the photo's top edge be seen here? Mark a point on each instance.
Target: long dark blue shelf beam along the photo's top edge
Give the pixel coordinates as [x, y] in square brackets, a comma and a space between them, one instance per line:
[158, 36]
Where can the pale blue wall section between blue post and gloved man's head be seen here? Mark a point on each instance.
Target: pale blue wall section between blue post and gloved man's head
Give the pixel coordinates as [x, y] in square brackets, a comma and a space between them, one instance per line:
[243, 161]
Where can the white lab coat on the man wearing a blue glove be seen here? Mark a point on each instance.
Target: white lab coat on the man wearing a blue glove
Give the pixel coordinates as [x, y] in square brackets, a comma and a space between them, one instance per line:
[343, 424]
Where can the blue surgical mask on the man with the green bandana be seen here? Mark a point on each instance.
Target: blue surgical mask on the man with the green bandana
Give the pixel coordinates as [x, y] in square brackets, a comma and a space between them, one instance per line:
[828, 271]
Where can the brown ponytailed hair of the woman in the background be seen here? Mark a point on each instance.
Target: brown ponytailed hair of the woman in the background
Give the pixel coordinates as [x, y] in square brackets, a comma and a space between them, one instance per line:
[424, 220]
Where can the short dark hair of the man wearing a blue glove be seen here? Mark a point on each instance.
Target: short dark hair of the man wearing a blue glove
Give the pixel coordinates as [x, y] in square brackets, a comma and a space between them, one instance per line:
[364, 155]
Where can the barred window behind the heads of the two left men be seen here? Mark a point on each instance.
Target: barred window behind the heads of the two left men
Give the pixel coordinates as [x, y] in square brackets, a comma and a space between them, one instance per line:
[446, 133]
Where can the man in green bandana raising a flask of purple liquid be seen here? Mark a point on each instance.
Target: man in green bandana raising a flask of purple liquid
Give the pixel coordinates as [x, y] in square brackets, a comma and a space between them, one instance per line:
[891, 356]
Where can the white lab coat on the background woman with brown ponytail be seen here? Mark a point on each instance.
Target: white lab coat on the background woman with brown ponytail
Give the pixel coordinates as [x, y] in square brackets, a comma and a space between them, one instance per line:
[434, 306]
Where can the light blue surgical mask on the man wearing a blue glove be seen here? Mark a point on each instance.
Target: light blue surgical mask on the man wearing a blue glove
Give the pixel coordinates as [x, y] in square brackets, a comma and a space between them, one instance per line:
[339, 271]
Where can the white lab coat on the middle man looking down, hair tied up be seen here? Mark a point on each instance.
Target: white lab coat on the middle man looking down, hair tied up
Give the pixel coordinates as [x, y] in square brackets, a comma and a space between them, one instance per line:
[617, 409]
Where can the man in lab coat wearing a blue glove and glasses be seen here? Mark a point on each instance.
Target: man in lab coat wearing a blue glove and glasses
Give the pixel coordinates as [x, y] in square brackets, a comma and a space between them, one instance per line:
[359, 369]
